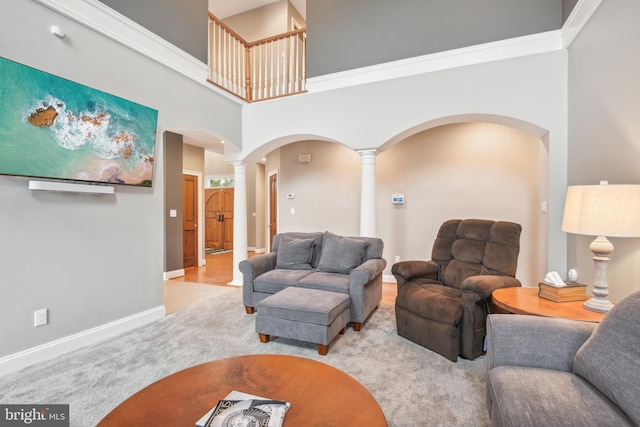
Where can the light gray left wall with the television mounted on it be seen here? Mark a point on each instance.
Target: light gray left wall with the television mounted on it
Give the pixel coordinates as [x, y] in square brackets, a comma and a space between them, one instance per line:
[89, 260]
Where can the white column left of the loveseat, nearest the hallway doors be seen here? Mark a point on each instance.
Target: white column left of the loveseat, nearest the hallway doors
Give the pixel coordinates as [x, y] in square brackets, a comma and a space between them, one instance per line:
[239, 220]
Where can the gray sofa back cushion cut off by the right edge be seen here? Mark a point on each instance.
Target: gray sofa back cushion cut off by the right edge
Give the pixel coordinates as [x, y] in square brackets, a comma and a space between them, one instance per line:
[610, 358]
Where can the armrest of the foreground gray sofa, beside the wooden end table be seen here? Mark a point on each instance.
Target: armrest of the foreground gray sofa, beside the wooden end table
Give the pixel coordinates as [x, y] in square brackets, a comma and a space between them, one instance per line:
[534, 341]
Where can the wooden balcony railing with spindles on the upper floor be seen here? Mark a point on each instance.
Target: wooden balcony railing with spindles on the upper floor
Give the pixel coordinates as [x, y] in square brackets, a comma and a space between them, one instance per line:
[260, 70]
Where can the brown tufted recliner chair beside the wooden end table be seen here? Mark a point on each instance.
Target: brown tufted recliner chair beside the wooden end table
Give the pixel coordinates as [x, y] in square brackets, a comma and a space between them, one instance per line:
[442, 304]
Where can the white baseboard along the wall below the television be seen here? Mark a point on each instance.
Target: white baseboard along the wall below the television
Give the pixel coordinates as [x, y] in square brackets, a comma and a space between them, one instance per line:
[15, 362]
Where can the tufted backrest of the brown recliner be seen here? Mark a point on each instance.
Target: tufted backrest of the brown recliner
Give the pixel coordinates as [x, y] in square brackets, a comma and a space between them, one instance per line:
[470, 247]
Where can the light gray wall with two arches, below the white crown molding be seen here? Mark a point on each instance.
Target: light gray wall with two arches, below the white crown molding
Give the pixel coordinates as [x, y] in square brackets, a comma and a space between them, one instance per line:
[528, 92]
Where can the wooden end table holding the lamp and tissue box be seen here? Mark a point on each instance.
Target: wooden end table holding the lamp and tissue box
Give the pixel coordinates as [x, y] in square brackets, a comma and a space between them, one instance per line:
[526, 301]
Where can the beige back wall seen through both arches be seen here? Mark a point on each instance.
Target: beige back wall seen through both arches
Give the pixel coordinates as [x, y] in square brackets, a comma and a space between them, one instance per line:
[468, 170]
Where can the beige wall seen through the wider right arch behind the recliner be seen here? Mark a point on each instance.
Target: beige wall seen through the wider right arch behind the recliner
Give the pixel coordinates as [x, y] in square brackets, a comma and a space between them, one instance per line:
[468, 170]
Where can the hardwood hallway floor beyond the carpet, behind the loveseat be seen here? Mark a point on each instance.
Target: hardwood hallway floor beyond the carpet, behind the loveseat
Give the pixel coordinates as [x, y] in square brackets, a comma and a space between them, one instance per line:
[219, 272]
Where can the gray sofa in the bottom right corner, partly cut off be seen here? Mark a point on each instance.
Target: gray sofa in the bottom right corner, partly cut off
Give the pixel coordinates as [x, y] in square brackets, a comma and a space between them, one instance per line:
[556, 372]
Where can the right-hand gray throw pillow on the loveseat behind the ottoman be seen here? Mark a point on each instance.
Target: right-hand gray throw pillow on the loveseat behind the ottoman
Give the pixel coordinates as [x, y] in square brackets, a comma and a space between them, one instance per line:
[341, 254]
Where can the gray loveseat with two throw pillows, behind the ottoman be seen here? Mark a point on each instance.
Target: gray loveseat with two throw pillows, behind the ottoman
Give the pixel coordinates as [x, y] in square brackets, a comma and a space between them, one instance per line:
[324, 261]
